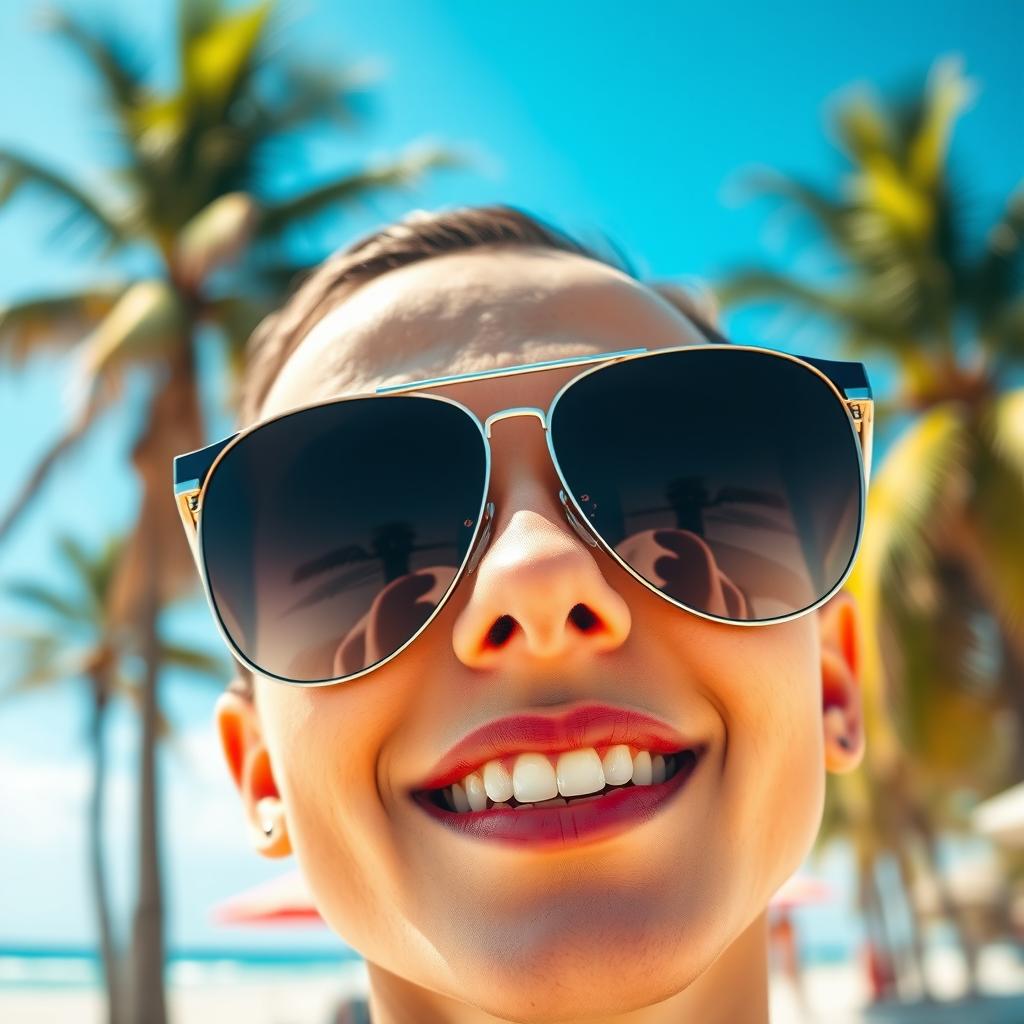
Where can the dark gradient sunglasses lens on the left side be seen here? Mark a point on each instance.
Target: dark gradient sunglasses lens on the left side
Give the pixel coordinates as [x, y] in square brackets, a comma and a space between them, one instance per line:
[331, 535]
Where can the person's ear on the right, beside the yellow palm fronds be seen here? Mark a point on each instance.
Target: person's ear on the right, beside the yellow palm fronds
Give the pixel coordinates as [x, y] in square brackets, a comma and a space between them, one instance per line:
[842, 709]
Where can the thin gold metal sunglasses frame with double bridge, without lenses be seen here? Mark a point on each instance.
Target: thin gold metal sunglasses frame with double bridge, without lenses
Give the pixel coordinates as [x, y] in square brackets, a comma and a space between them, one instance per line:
[194, 471]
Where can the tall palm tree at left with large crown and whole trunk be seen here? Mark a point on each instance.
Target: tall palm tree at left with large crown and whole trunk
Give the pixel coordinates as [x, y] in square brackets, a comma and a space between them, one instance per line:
[191, 199]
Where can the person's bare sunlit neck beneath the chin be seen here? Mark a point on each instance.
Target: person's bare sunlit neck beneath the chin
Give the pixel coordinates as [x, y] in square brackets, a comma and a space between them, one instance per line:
[733, 991]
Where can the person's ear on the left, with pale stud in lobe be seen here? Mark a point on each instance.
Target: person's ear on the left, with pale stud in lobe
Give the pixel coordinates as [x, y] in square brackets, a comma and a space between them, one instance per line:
[249, 762]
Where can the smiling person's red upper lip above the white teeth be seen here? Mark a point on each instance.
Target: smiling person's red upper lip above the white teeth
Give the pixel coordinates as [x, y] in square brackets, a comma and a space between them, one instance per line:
[590, 724]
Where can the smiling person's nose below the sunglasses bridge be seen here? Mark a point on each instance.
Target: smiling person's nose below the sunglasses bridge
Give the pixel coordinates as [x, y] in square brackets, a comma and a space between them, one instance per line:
[539, 594]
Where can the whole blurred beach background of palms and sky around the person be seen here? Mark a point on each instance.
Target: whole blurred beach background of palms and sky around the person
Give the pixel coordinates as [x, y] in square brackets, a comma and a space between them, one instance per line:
[847, 180]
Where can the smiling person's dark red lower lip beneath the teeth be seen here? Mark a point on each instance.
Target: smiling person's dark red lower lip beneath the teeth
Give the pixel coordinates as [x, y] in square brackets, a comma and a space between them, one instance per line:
[573, 825]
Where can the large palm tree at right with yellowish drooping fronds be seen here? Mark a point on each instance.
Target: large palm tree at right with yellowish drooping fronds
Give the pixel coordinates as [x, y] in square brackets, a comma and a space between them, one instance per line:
[945, 539]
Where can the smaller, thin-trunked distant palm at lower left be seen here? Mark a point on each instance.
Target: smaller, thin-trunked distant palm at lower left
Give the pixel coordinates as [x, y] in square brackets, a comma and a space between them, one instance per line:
[79, 642]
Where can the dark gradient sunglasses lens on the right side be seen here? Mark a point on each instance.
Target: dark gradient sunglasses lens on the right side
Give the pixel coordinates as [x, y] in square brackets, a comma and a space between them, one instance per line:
[728, 479]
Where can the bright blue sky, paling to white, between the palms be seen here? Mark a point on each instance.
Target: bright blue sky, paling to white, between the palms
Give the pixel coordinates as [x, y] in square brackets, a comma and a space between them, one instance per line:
[636, 126]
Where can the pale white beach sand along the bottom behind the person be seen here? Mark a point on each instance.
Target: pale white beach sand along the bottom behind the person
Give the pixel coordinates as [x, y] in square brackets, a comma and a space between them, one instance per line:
[212, 993]
